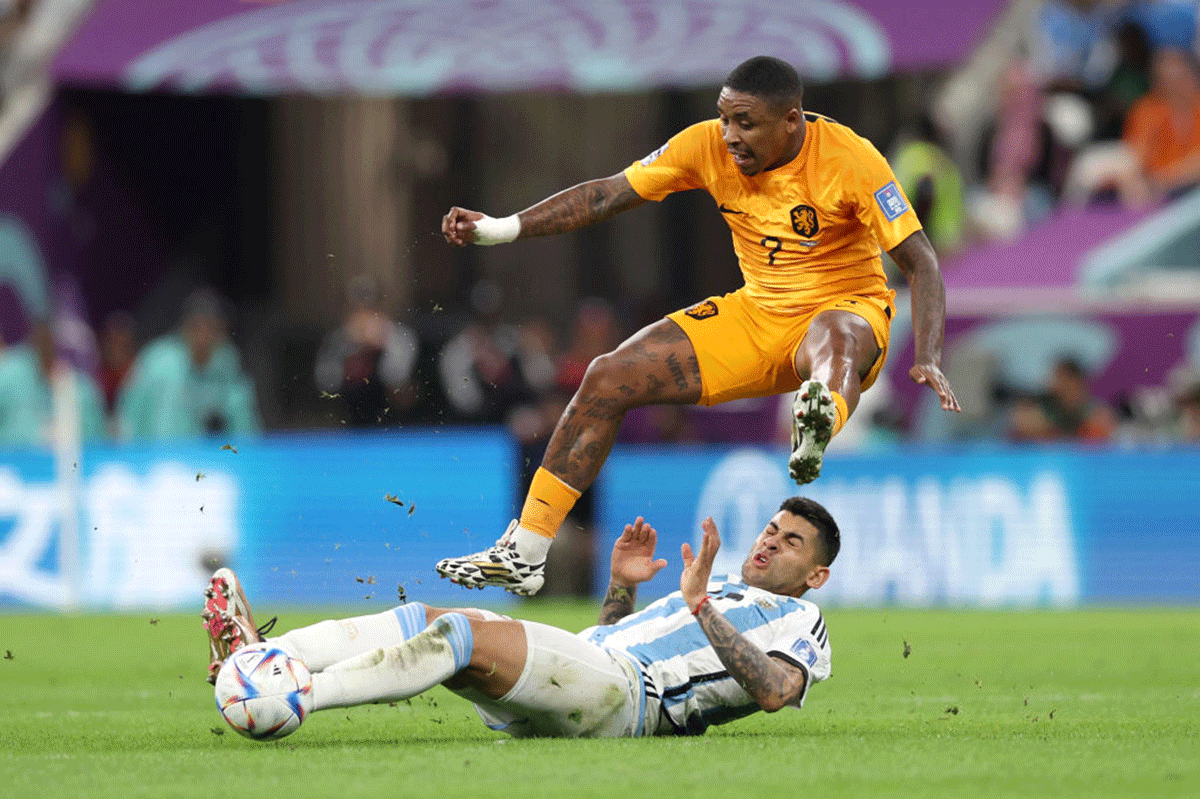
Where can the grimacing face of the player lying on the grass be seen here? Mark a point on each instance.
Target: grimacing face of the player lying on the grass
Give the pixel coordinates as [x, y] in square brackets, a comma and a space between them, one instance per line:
[784, 557]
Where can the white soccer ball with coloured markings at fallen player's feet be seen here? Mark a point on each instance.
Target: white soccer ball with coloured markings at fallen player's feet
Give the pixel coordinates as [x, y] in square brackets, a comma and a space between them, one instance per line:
[263, 693]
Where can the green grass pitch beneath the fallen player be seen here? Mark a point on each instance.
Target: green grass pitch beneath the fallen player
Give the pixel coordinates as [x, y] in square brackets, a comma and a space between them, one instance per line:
[1093, 704]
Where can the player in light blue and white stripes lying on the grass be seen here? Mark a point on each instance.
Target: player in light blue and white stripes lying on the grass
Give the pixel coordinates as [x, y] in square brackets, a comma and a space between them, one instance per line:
[718, 650]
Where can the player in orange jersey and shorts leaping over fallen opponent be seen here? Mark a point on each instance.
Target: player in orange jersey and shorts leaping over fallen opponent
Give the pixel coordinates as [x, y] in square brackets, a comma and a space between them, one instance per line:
[811, 205]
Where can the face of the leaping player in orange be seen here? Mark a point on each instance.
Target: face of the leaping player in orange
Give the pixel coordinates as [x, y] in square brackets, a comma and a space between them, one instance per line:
[758, 136]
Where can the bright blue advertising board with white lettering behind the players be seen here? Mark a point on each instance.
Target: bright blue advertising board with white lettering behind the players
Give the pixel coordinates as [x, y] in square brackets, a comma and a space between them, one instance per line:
[320, 521]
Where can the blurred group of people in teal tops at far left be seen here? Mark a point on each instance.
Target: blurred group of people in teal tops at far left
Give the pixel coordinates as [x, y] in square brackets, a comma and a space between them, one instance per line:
[187, 385]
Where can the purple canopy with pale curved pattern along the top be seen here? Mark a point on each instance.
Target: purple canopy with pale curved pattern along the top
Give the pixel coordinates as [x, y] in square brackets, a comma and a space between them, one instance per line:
[415, 47]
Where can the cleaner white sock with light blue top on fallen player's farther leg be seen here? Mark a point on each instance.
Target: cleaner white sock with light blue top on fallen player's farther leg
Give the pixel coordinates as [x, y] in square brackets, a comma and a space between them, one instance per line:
[322, 645]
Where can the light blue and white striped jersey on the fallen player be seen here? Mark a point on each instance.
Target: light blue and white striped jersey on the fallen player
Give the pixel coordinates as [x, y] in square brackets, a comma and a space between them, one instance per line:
[683, 670]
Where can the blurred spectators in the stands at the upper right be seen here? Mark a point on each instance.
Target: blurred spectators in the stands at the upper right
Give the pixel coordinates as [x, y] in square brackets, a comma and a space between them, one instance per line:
[1096, 101]
